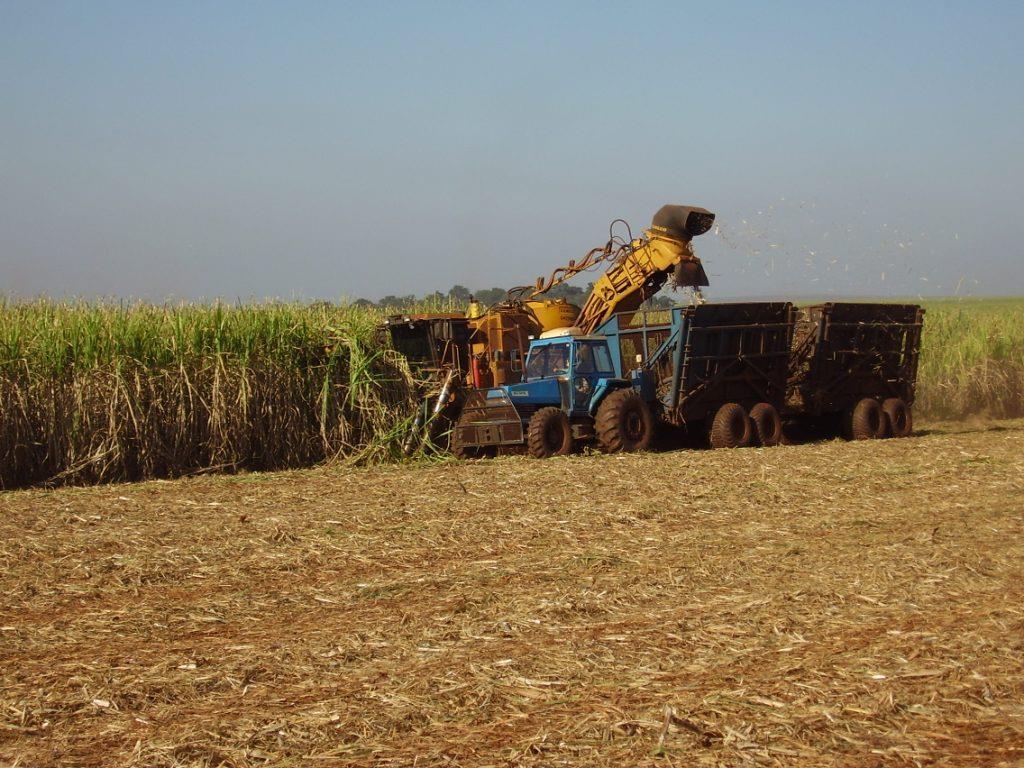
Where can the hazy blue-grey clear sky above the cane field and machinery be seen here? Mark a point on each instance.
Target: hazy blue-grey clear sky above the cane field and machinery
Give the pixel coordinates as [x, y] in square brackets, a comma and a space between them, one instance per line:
[335, 151]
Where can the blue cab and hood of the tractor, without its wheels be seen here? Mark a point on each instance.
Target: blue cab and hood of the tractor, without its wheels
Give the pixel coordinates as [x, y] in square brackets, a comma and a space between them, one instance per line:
[566, 372]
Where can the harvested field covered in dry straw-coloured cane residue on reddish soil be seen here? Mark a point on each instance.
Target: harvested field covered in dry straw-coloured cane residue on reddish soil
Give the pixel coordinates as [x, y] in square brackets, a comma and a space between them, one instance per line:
[829, 605]
